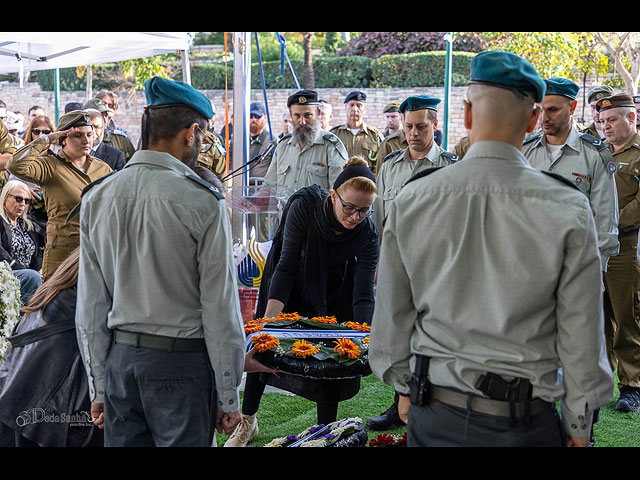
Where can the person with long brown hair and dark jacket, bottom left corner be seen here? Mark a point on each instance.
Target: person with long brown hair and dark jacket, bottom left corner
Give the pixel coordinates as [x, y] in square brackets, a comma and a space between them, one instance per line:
[42, 375]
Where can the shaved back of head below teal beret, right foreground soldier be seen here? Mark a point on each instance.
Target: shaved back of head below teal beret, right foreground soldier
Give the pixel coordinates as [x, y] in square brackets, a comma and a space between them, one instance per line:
[494, 113]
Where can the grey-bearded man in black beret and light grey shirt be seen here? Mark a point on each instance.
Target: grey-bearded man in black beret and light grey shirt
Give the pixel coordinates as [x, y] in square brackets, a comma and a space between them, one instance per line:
[309, 155]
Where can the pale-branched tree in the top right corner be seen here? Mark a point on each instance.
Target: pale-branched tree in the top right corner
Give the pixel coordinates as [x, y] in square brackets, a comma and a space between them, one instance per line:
[624, 48]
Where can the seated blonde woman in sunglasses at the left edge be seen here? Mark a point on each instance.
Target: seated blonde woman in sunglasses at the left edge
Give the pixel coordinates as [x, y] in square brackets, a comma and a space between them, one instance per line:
[20, 245]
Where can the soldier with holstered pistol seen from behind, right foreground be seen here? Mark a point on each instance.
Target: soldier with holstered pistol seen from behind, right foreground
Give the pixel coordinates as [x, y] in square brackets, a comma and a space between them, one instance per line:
[489, 281]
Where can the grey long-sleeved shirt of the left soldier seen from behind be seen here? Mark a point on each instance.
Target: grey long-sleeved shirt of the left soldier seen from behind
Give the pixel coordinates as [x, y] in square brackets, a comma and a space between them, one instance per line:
[156, 257]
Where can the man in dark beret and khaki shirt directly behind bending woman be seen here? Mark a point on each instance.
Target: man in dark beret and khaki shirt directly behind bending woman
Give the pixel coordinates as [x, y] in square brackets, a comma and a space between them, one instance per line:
[358, 138]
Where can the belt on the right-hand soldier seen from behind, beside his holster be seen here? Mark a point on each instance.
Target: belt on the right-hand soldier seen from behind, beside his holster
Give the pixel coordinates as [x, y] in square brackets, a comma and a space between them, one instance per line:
[487, 405]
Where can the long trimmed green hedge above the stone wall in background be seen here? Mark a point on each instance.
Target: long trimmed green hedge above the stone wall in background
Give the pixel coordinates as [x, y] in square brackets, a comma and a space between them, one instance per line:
[406, 70]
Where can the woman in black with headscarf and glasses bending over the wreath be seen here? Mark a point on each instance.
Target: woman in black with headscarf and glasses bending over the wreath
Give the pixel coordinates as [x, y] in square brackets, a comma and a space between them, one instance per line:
[322, 262]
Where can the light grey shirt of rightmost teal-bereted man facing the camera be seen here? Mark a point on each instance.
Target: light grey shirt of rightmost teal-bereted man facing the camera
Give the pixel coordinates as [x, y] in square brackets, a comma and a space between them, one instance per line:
[592, 171]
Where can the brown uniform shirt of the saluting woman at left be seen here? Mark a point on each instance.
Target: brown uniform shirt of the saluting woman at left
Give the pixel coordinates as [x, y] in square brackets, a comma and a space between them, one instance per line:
[61, 182]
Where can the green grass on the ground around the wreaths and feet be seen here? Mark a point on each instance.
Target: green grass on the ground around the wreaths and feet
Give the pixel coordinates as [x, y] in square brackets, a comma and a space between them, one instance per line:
[281, 415]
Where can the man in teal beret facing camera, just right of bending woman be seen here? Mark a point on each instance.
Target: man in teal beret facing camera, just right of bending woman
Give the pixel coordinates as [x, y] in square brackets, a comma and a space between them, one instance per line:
[419, 123]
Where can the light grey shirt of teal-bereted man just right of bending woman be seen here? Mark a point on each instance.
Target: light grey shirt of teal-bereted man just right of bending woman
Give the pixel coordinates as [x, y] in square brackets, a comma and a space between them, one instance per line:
[396, 171]
